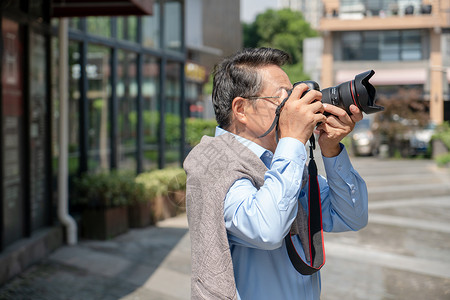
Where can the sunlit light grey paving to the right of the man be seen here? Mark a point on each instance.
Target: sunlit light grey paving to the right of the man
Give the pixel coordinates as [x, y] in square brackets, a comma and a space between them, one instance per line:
[404, 252]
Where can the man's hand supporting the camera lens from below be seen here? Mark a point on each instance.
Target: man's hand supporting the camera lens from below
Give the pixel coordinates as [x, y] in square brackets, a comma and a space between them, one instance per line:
[338, 125]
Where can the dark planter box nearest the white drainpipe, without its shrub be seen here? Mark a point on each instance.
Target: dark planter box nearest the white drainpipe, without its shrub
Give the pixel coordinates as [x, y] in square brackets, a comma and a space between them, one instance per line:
[104, 223]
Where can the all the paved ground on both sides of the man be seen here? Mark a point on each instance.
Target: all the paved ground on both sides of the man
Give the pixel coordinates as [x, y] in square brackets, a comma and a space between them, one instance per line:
[404, 252]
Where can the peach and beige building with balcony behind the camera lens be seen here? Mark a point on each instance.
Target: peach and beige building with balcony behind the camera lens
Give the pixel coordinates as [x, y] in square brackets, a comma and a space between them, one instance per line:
[406, 42]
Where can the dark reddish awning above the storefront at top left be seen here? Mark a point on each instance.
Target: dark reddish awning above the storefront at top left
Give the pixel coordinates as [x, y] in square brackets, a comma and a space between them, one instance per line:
[83, 8]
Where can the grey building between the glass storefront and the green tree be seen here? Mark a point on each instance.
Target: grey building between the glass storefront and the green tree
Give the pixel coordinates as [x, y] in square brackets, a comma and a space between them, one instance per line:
[213, 31]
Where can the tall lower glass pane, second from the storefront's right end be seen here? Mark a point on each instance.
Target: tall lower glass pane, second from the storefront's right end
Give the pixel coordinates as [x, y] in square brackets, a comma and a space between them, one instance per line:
[150, 113]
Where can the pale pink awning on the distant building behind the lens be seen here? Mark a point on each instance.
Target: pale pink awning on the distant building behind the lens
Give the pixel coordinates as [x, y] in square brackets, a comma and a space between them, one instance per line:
[387, 77]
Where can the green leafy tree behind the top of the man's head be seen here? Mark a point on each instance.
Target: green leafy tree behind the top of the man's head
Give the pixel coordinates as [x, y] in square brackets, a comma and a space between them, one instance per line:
[282, 29]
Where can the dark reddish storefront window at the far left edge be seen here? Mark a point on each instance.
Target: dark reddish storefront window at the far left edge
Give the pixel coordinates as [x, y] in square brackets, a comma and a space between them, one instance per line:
[13, 134]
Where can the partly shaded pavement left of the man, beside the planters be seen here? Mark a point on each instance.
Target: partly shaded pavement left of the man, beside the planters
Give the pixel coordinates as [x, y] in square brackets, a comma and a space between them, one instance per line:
[149, 263]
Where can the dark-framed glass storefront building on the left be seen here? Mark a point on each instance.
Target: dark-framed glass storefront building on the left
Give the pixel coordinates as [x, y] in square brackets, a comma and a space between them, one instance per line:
[123, 90]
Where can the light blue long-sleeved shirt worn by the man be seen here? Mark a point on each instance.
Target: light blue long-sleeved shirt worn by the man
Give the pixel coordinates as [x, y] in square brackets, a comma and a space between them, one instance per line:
[258, 220]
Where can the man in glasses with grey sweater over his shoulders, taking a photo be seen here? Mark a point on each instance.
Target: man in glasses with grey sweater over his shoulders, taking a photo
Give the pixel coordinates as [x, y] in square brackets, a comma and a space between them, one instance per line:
[247, 190]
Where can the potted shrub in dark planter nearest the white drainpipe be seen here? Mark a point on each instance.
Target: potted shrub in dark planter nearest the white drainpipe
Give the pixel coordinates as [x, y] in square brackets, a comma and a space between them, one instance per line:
[102, 199]
